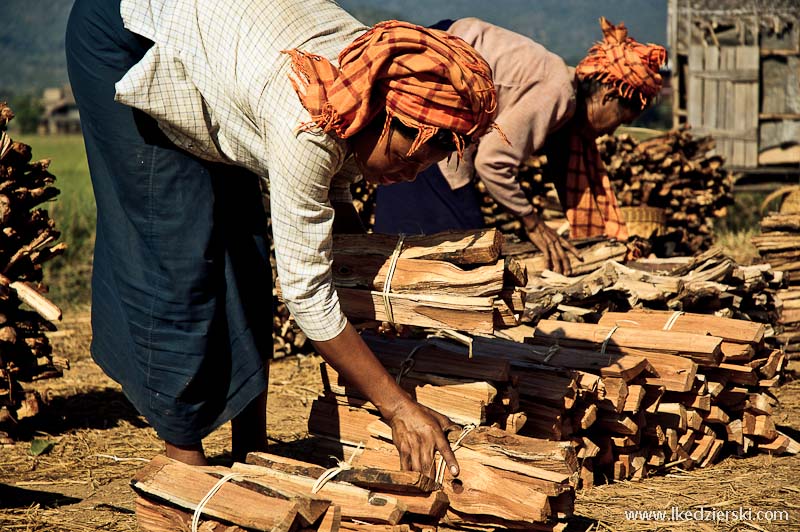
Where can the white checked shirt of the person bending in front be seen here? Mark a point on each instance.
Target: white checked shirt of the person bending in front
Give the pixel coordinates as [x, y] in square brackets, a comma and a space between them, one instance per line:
[219, 87]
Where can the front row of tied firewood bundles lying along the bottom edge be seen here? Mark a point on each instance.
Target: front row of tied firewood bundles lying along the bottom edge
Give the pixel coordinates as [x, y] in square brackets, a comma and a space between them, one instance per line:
[367, 493]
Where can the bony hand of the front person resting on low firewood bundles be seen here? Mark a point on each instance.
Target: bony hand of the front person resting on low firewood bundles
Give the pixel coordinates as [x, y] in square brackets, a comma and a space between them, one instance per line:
[417, 432]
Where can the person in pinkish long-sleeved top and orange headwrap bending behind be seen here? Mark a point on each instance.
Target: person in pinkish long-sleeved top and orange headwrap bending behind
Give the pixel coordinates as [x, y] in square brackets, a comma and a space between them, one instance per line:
[543, 106]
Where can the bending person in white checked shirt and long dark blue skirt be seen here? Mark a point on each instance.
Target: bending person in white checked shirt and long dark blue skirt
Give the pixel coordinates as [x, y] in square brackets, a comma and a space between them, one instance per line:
[187, 109]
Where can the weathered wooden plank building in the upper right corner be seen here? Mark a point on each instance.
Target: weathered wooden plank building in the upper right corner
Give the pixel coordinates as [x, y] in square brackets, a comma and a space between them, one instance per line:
[736, 76]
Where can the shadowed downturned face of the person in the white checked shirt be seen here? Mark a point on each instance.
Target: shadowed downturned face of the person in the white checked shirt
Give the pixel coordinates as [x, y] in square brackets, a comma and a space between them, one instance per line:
[385, 160]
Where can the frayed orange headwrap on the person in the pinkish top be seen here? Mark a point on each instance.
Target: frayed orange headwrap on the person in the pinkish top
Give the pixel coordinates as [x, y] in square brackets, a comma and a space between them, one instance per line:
[631, 67]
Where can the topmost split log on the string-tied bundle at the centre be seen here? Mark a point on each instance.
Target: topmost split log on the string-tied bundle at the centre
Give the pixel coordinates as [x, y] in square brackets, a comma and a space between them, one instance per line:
[457, 247]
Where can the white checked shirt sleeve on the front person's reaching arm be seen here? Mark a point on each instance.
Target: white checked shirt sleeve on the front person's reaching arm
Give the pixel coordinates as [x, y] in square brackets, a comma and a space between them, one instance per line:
[303, 168]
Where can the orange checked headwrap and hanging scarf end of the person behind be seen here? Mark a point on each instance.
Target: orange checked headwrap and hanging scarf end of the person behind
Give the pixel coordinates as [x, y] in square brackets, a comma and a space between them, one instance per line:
[632, 68]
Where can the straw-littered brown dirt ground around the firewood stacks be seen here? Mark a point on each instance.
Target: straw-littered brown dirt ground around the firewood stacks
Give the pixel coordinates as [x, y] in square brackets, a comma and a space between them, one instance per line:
[82, 484]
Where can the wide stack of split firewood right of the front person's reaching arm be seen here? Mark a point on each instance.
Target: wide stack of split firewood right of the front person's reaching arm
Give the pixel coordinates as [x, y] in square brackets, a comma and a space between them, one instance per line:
[638, 393]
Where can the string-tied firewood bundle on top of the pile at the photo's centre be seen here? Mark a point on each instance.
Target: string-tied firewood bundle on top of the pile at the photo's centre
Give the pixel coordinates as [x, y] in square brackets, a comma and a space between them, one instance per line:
[450, 280]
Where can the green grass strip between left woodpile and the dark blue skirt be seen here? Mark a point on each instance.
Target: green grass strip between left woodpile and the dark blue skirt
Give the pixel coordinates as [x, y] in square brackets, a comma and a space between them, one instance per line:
[73, 210]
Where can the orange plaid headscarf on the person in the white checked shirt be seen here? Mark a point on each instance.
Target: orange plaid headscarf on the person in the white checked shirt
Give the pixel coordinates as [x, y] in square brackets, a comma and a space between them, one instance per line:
[426, 78]
